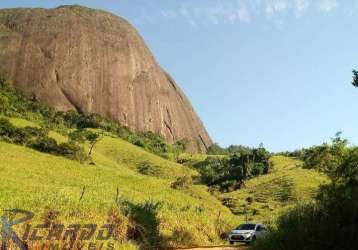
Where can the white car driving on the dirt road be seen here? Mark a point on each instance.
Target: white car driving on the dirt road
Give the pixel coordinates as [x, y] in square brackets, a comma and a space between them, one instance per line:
[247, 233]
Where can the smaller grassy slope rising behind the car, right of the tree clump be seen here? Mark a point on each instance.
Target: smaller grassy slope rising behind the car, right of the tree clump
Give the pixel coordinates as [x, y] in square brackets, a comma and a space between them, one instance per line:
[266, 196]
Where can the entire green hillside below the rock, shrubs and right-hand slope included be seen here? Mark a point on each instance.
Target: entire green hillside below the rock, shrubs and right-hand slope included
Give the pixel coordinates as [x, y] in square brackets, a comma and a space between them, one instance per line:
[127, 181]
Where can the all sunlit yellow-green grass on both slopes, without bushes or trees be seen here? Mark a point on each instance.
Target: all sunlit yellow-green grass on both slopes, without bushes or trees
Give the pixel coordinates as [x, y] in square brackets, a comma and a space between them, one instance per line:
[41, 183]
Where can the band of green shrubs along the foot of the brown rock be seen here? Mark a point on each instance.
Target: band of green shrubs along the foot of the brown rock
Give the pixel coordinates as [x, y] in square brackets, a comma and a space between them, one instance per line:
[15, 104]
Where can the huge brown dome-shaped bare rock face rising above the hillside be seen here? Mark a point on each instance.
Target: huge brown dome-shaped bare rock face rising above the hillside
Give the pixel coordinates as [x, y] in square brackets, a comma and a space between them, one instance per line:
[75, 58]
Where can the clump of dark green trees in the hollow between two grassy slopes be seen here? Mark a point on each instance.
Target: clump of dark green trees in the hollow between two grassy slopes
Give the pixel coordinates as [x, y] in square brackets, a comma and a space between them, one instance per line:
[229, 173]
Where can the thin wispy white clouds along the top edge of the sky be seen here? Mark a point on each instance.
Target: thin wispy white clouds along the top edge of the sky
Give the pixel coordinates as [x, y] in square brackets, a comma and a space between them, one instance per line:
[245, 11]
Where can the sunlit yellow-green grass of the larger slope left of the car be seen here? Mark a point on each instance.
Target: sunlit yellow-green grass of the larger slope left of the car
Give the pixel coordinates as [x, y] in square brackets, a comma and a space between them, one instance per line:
[42, 182]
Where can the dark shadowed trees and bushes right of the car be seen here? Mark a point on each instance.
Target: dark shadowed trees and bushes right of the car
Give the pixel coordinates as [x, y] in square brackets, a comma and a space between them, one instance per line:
[331, 221]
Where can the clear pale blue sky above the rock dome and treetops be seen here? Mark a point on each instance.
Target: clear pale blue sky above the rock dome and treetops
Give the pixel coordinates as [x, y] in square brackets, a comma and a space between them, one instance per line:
[271, 71]
